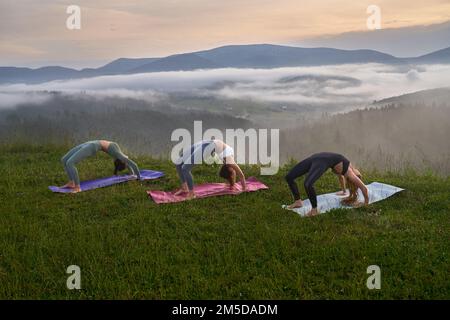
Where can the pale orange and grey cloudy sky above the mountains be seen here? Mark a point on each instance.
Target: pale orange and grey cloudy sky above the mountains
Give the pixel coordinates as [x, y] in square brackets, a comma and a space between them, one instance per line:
[34, 33]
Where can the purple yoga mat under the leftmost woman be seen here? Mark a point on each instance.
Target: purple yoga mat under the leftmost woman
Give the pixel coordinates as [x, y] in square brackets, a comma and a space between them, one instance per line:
[105, 182]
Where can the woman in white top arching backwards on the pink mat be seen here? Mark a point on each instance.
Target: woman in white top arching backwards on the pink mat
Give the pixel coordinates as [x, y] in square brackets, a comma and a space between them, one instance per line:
[197, 154]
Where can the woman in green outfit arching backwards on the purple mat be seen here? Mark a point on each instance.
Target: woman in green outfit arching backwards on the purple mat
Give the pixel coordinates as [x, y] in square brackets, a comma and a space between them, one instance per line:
[89, 149]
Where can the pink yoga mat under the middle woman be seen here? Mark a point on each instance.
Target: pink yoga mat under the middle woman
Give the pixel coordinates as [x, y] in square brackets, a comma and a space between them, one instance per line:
[208, 190]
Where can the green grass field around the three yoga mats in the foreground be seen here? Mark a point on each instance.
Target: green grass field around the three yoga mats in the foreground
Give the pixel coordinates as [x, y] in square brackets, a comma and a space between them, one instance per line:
[231, 247]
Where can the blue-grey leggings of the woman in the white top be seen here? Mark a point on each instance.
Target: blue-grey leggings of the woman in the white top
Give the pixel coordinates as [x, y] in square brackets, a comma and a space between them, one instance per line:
[194, 156]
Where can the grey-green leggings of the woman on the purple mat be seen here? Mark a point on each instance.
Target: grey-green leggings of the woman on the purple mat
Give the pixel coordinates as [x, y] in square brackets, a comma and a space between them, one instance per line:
[77, 154]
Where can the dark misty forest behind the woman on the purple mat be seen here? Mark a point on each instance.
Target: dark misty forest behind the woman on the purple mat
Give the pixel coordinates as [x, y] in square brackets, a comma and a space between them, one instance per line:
[142, 127]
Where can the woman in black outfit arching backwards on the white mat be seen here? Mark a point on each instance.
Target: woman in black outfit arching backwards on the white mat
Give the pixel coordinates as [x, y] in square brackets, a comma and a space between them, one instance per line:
[315, 166]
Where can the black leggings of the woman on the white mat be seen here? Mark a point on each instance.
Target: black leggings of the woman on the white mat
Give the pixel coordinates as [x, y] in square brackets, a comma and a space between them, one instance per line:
[315, 170]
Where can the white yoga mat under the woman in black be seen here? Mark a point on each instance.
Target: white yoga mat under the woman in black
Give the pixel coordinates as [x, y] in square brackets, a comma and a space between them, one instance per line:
[326, 202]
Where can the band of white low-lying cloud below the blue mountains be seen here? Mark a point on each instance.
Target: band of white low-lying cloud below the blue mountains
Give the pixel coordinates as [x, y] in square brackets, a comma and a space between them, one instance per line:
[339, 85]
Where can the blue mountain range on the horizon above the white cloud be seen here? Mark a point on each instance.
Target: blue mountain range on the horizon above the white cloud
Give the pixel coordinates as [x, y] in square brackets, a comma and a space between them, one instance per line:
[234, 56]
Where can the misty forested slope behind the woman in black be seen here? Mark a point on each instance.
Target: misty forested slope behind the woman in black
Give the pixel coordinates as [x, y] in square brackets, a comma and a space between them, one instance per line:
[393, 137]
